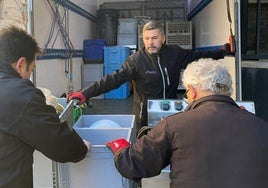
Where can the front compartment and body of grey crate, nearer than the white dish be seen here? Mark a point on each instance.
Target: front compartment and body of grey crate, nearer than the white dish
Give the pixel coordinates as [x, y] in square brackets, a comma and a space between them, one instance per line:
[97, 169]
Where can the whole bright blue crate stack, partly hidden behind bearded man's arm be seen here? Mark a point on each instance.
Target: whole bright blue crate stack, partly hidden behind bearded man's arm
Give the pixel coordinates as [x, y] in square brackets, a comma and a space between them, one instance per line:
[114, 56]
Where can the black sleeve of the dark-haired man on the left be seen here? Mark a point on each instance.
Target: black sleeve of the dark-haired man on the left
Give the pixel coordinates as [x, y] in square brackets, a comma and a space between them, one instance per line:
[41, 129]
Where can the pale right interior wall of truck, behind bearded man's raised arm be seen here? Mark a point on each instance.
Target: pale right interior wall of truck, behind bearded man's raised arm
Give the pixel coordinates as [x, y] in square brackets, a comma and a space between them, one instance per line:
[211, 28]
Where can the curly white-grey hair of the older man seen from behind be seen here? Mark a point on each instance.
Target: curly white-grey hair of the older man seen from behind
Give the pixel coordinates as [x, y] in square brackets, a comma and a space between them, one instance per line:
[208, 75]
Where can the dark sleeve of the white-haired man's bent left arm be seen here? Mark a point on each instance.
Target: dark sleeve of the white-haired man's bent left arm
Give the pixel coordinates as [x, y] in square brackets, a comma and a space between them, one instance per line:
[147, 157]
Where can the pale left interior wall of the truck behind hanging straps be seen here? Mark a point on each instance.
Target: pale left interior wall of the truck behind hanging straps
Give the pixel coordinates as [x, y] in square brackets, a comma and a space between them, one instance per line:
[51, 73]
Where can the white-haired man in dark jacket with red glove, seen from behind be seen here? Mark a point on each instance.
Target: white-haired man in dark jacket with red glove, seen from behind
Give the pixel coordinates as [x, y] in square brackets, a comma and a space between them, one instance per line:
[214, 143]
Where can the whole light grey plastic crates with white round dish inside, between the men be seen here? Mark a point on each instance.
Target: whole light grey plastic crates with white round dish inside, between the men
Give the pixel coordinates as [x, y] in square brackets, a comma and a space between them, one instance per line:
[97, 169]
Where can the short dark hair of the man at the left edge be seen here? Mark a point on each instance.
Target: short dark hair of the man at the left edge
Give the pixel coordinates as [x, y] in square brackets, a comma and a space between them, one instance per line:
[16, 43]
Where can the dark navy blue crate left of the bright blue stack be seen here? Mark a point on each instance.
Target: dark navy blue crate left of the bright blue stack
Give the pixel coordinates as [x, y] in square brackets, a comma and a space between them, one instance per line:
[94, 49]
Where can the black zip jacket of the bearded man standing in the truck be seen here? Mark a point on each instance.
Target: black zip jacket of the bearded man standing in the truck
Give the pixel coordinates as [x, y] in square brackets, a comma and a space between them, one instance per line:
[149, 81]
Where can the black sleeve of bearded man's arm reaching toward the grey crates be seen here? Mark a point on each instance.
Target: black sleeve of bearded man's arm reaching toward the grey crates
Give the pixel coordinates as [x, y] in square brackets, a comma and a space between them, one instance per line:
[111, 81]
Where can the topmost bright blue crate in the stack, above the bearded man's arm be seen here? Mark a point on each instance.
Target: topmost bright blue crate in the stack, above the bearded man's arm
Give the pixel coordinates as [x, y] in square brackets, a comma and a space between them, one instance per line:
[115, 55]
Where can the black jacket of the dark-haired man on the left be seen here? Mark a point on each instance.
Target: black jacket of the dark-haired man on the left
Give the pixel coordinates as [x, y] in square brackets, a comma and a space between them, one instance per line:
[28, 124]
